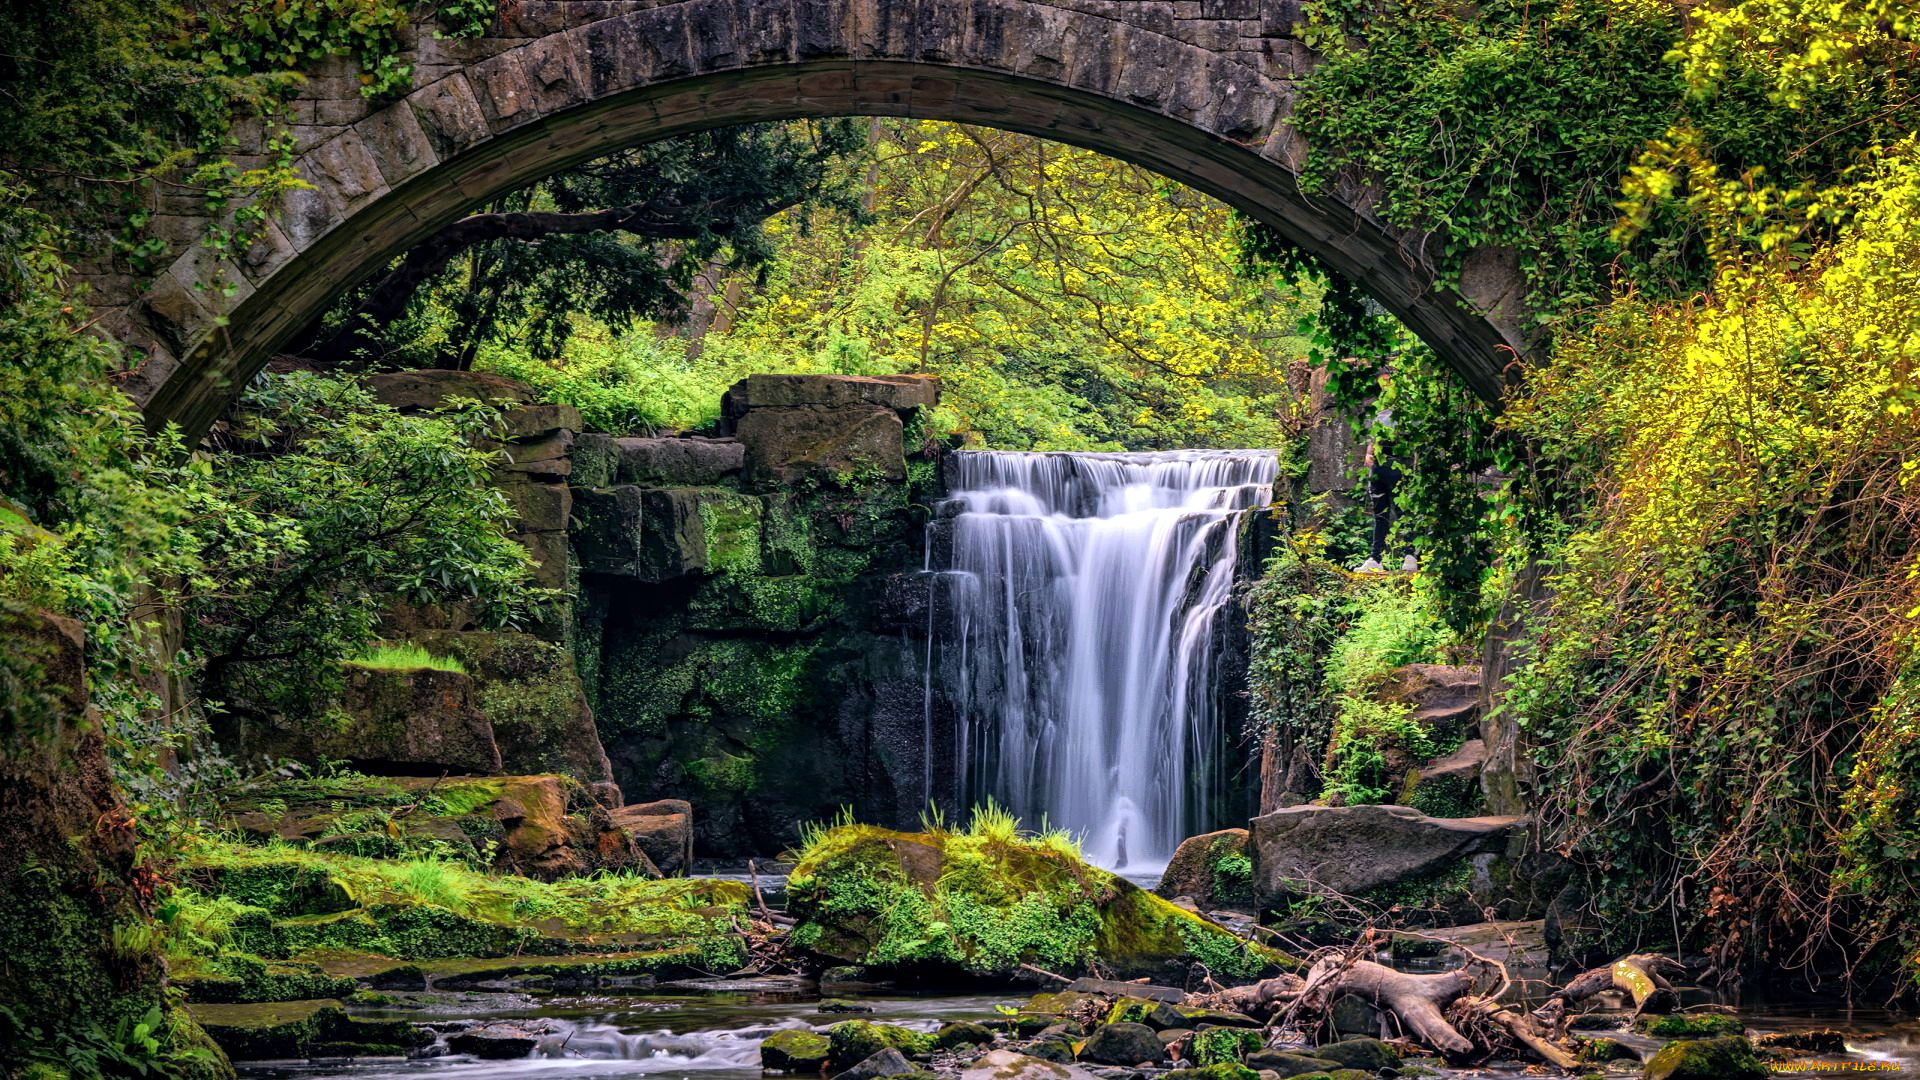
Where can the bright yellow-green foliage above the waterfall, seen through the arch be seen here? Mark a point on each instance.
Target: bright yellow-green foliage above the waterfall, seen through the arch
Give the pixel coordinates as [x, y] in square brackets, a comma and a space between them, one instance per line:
[1067, 301]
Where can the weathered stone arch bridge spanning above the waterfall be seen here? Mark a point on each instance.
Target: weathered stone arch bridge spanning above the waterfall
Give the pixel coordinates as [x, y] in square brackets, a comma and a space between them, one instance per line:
[1195, 89]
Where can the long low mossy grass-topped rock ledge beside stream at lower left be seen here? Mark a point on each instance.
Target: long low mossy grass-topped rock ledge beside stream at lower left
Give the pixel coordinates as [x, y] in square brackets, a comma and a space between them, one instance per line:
[260, 923]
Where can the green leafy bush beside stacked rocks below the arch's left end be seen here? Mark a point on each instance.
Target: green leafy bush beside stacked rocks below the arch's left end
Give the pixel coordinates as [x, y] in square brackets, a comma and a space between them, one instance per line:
[320, 510]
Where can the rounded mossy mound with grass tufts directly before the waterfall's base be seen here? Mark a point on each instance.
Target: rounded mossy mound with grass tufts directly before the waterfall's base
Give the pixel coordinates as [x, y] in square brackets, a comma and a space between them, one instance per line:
[988, 900]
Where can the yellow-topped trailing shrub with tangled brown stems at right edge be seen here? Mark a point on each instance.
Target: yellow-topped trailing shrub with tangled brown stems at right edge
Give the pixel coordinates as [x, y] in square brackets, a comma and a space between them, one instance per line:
[1723, 664]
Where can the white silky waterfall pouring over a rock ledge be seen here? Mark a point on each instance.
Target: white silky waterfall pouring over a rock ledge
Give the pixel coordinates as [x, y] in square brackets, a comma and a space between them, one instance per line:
[1078, 639]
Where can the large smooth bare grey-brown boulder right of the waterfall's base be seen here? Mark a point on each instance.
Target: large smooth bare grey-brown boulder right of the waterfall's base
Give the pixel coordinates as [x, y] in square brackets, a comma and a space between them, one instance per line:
[1366, 850]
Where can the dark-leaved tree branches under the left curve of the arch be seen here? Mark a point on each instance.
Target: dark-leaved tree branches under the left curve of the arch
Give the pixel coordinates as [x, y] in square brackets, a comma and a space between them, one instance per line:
[619, 239]
